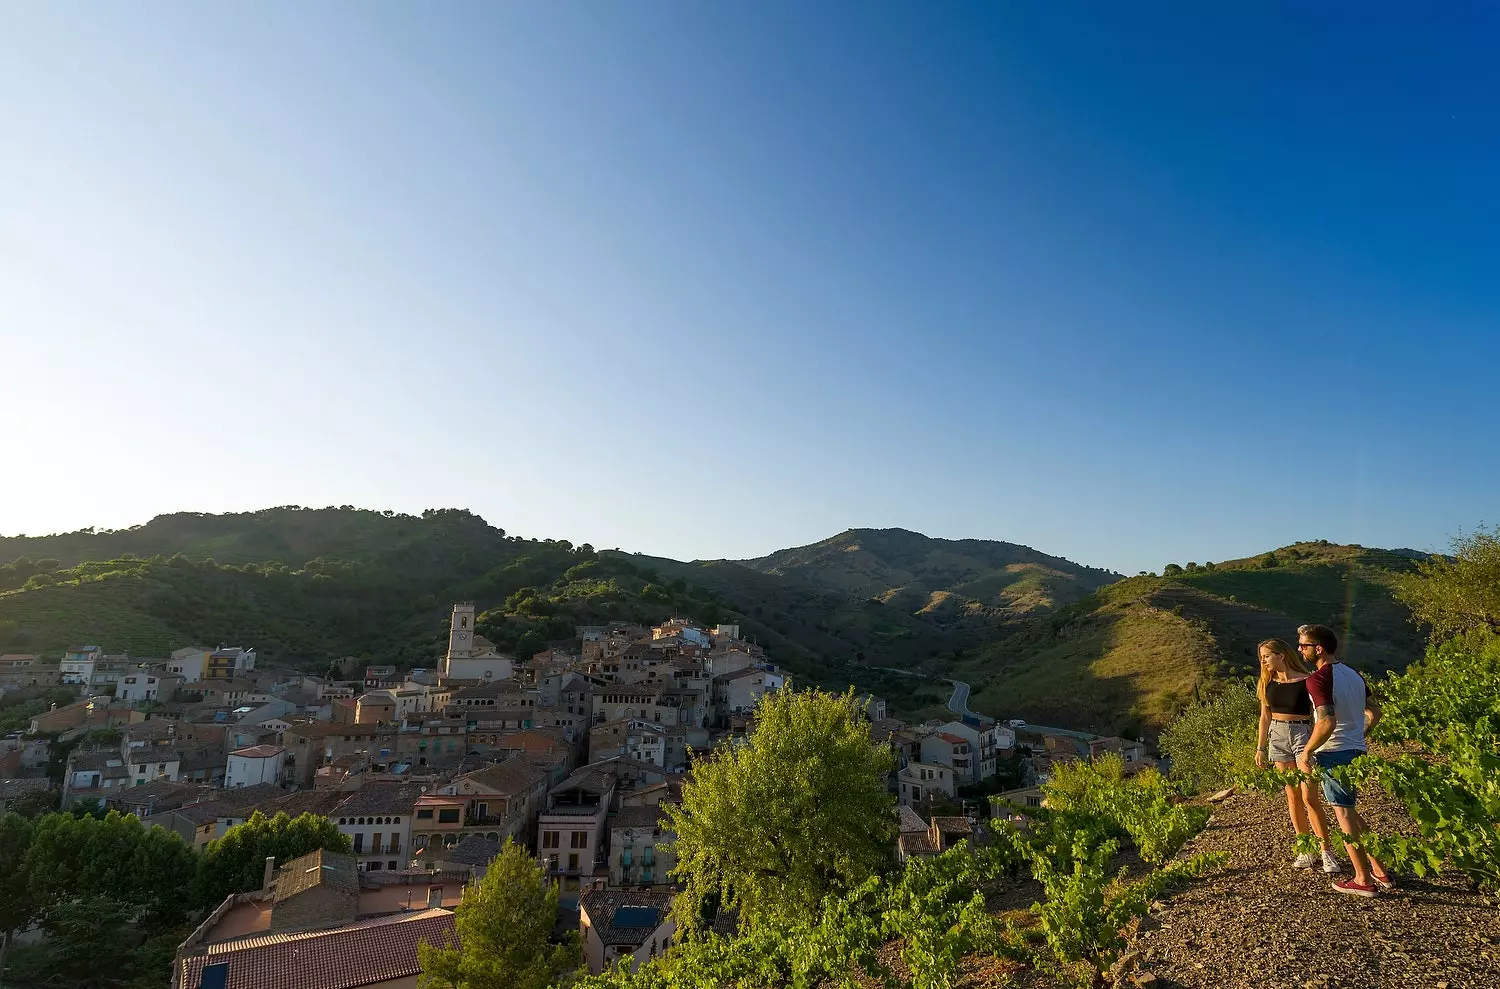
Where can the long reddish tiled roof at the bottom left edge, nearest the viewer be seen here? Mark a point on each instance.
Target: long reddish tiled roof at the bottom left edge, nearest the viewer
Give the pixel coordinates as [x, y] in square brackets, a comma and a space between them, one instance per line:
[344, 958]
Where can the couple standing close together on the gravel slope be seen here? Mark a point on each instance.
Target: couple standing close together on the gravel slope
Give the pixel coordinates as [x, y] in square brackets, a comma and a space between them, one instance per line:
[1315, 712]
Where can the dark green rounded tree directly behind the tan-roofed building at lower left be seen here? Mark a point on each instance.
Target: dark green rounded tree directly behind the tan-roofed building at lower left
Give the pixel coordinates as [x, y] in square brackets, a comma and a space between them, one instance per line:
[236, 864]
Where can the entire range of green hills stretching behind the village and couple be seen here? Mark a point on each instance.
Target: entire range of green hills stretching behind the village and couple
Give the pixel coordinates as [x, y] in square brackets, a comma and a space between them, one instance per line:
[1039, 637]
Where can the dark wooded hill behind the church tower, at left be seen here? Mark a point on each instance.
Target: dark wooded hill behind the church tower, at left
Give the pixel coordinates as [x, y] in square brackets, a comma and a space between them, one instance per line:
[308, 586]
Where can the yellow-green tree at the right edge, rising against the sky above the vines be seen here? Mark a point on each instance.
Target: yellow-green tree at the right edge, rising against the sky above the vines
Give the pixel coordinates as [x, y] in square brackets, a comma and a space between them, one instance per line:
[1460, 594]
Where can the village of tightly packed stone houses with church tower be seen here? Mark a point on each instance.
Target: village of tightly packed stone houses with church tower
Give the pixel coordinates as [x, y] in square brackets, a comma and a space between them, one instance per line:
[571, 753]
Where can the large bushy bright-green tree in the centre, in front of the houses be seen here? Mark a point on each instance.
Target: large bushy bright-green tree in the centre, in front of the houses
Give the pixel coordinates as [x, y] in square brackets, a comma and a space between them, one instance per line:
[796, 814]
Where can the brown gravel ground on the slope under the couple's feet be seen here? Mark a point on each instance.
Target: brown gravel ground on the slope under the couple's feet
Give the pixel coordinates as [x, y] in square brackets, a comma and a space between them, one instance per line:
[1264, 924]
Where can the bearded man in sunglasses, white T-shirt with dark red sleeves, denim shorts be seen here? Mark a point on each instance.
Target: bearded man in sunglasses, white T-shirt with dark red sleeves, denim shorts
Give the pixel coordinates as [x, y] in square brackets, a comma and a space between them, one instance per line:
[1343, 712]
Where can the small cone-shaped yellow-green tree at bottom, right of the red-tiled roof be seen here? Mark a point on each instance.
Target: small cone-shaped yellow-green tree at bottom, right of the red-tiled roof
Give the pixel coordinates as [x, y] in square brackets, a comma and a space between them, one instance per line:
[505, 928]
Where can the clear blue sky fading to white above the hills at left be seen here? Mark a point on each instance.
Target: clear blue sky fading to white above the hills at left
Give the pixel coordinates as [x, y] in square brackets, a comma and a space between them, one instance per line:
[1124, 283]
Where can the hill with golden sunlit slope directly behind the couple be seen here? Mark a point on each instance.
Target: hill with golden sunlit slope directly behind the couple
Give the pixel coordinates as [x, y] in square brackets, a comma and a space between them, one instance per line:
[1135, 654]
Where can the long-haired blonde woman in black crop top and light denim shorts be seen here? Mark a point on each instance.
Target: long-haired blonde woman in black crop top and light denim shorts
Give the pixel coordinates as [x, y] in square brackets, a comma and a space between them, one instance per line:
[1286, 723]
